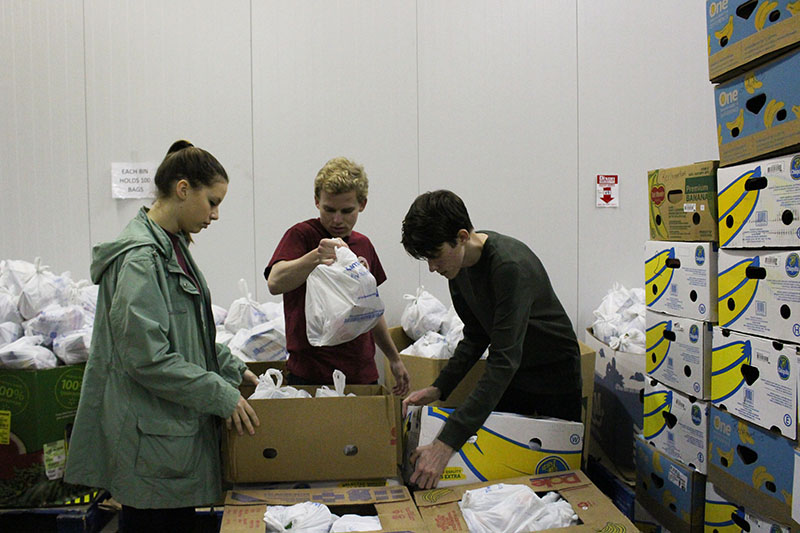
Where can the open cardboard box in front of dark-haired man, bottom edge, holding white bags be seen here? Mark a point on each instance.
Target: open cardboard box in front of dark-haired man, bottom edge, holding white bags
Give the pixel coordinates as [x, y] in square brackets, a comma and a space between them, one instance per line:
[440, 511]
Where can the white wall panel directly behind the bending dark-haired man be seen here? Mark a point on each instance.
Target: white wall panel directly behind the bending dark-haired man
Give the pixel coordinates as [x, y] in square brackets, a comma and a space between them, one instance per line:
[498, 124]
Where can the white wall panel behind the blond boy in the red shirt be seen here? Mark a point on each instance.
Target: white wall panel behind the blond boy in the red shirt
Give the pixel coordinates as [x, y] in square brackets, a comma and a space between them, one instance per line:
[335, 79]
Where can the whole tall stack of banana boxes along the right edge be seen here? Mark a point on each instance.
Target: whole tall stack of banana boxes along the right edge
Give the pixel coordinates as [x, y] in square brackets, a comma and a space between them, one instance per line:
[723, 323]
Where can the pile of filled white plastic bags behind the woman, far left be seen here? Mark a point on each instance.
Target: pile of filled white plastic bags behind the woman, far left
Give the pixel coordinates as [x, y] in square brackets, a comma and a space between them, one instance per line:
[45, 318]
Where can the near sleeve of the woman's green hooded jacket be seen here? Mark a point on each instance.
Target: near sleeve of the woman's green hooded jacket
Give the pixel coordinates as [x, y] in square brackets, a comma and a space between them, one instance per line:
[139, 320]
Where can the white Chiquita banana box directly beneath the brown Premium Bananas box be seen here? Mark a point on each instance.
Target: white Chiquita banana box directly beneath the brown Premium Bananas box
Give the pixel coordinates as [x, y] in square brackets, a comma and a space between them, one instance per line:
[680, 278]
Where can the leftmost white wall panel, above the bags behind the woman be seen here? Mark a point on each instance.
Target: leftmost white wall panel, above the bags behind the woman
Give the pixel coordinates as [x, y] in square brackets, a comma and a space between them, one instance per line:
[43, 135]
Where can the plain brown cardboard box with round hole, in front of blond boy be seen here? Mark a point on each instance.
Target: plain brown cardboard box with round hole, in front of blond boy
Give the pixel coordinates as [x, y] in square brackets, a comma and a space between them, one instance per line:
[316, 439]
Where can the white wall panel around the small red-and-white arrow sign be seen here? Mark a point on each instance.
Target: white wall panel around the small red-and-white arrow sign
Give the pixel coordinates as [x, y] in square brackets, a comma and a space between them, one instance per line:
[645, 102]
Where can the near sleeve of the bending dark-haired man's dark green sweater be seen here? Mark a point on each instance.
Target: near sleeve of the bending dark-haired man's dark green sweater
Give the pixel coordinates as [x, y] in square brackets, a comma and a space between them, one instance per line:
[513, 300]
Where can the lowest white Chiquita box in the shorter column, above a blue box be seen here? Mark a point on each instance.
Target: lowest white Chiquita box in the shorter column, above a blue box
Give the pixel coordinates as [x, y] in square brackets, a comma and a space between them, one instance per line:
[676, 424]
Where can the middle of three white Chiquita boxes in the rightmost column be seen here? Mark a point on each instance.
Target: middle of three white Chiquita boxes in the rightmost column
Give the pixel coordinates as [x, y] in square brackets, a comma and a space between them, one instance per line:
[759, 292]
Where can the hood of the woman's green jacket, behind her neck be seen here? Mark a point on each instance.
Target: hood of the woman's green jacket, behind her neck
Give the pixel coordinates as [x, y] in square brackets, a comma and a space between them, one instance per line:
[141, 231]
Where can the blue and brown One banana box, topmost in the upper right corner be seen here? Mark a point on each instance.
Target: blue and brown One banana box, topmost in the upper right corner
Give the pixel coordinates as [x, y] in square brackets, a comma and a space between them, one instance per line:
[742, 33]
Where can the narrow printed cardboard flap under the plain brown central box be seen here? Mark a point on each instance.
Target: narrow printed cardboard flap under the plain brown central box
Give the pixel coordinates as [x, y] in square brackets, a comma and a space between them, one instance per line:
[329, 495]
